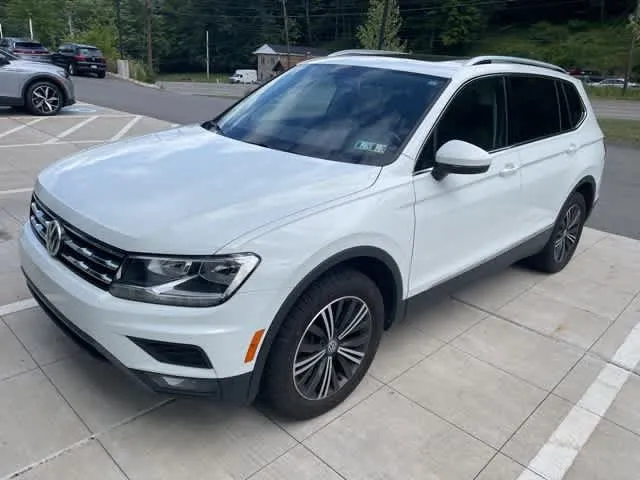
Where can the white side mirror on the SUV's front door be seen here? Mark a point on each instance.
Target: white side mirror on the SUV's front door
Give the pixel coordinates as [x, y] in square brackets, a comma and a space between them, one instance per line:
[460, 158]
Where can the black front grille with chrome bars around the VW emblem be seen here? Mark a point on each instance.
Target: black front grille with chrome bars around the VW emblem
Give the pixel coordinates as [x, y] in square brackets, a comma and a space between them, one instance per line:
[89, 258]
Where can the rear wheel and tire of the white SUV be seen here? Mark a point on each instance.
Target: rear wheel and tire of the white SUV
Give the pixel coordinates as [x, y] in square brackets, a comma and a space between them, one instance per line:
[564, 238]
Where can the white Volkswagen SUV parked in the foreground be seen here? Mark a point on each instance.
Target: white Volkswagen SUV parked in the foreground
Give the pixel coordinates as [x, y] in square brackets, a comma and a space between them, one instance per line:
[268, 249]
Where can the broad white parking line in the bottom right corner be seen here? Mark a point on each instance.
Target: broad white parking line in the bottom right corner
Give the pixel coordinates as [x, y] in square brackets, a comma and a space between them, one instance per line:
[556, 456]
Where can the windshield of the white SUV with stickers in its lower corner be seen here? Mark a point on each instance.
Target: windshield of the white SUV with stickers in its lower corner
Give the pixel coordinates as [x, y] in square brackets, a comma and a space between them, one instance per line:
[335, 112]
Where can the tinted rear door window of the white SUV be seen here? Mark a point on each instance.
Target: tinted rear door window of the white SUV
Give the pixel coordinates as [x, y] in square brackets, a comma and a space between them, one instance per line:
[533, 109]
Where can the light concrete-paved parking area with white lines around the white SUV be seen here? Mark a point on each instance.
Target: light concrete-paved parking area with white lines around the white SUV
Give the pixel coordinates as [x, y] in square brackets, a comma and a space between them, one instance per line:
[515, 374]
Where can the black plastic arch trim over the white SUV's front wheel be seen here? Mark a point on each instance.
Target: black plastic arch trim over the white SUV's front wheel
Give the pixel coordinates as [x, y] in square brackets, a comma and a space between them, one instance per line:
[372, 261]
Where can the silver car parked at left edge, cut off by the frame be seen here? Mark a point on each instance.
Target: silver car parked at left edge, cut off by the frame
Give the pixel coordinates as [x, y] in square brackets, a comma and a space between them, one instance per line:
[43, 89]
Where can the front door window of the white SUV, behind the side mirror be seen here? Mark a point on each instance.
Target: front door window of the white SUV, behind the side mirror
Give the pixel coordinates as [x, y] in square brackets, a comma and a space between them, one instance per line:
[477, 115]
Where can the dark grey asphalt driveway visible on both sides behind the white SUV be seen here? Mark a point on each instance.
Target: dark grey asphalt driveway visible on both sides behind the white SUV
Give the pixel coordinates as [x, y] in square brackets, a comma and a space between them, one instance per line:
[618, 210]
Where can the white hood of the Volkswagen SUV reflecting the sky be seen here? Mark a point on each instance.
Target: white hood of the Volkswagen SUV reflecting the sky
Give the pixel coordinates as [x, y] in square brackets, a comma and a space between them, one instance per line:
[188, 190]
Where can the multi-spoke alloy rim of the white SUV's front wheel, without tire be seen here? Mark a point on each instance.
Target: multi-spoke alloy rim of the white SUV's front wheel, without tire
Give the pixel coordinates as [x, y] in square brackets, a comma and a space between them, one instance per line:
[332, 348]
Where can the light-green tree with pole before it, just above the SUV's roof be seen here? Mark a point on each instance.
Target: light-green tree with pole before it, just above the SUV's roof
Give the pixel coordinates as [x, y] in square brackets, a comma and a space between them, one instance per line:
[368, 33]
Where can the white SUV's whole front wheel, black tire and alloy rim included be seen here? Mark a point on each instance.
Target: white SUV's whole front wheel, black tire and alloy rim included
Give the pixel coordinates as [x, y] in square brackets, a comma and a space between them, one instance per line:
[325, 346]
